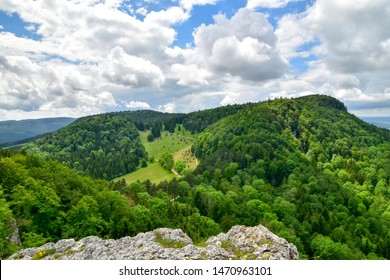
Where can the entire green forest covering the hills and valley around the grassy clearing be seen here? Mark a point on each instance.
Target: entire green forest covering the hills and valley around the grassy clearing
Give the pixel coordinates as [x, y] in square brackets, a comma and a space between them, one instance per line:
[305, 168]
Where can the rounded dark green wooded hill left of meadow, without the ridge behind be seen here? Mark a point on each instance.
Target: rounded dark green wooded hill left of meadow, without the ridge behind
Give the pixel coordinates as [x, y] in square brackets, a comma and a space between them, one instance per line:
[104, 146]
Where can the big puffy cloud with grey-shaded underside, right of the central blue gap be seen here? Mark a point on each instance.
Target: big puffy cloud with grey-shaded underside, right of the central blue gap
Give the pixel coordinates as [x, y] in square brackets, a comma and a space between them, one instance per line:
[242, 46]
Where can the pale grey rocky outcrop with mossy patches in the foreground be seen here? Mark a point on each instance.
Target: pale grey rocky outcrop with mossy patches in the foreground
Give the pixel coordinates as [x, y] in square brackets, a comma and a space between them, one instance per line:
[170, 244]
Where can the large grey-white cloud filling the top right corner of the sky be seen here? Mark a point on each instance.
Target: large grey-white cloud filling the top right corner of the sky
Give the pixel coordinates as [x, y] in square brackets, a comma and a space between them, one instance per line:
[356, 38]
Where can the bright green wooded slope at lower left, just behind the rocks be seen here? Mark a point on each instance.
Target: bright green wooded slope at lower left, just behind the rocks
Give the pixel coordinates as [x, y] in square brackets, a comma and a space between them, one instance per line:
[44, 201]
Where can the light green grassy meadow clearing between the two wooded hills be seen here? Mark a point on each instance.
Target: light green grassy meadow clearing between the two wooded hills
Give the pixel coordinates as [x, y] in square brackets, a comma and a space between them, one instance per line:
[178, 144]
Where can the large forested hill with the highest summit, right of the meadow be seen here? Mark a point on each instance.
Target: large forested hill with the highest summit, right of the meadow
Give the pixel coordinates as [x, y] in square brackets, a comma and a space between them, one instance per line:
[305, 168]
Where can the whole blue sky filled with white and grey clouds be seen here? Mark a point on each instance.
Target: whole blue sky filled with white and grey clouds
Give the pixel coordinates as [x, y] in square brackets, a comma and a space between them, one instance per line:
[81, 57]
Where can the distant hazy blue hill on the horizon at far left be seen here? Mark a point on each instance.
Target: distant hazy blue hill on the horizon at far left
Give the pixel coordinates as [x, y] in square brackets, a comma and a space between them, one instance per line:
[11, 131]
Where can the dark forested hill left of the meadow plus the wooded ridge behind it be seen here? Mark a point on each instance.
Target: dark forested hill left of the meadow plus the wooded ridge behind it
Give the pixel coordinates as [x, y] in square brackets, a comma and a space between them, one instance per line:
[107, 146]
